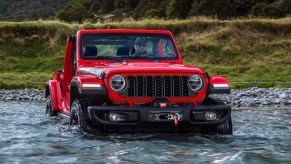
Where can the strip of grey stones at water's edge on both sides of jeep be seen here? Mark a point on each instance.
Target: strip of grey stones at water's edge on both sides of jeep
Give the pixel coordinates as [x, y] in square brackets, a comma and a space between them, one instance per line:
[251, 97]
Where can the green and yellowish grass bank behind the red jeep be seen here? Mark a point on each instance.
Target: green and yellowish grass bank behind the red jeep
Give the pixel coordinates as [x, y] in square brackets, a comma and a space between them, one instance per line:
[252, 52]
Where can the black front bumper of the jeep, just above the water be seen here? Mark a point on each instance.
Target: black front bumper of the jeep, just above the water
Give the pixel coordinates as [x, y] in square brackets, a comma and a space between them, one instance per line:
[154, 119]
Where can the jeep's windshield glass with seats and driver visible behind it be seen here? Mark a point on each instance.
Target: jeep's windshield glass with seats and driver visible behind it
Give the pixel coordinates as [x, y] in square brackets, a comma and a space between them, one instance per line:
[128, 46]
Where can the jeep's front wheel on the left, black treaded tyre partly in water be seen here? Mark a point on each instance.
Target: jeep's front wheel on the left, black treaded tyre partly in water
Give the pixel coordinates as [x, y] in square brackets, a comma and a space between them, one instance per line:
[79, 115]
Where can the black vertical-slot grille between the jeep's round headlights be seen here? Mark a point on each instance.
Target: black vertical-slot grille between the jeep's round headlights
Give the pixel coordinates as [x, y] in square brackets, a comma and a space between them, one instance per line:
[157, 86]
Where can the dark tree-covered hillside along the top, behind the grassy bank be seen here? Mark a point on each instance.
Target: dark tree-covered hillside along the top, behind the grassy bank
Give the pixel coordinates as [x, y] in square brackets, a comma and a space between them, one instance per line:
[117, 10]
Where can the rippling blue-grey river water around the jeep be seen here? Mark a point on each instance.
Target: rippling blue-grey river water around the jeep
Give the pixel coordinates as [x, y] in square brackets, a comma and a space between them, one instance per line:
[28, 136]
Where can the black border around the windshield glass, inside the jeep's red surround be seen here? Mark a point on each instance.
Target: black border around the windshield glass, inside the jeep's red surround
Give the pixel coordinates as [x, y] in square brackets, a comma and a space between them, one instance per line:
[165, 36]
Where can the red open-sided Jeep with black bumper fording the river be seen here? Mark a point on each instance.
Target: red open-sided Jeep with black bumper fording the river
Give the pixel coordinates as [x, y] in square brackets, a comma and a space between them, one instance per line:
[135, 81]
